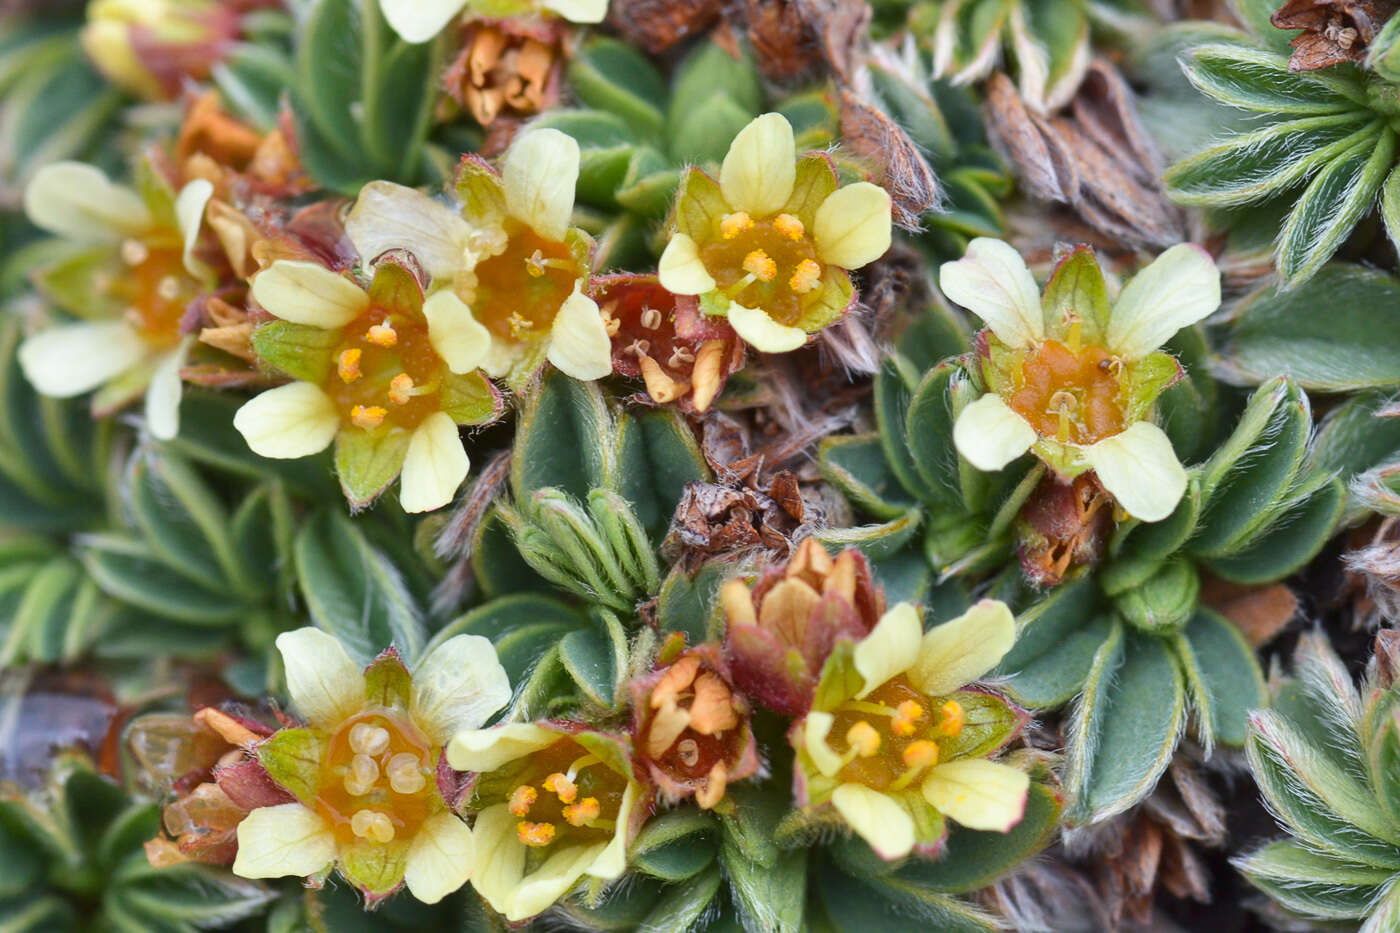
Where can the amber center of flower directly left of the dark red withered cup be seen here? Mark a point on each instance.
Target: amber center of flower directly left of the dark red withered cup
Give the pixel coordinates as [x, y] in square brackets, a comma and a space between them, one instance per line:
[520, 291]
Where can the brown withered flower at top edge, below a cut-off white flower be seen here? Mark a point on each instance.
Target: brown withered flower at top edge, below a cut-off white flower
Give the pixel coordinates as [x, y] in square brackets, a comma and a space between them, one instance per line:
[509, 68]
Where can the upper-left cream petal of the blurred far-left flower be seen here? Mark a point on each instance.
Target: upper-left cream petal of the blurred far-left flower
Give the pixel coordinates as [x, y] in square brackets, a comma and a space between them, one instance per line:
[75, 200]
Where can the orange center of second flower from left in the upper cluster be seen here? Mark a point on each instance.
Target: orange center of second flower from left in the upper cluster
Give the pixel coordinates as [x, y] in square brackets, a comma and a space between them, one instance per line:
[386, 372]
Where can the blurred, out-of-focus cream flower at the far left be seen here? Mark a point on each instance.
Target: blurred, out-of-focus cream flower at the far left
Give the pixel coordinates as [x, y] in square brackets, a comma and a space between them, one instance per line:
[131, 277]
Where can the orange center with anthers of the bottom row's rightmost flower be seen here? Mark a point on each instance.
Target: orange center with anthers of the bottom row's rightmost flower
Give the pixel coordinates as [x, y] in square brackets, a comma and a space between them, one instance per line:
[894, 736]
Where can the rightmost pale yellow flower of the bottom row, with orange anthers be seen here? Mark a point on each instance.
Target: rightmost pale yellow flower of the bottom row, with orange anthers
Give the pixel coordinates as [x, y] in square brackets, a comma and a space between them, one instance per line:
[897, 742]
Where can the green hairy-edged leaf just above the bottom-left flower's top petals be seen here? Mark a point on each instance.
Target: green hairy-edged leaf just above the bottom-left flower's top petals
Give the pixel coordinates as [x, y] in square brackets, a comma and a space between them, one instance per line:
[353, 592]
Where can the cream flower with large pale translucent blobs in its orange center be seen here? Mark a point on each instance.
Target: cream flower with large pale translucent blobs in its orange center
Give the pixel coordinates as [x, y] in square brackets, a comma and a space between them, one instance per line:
[367, 770]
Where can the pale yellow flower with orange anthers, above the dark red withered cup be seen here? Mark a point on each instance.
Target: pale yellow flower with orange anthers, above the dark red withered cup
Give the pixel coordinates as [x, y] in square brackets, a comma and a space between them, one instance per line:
[769, 246]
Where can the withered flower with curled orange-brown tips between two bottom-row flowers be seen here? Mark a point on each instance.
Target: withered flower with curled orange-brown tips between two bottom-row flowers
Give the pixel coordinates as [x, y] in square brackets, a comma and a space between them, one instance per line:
[692, 729]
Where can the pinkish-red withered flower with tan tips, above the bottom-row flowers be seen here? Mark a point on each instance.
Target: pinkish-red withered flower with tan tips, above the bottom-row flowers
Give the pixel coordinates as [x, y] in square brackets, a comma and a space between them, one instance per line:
[782, 631]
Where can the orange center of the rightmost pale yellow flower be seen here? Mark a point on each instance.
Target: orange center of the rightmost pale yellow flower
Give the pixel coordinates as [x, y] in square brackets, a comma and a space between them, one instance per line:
[1070, 396]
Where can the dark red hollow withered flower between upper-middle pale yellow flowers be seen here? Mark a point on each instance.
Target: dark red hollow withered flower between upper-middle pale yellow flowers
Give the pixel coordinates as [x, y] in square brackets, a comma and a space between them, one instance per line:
[664, 341]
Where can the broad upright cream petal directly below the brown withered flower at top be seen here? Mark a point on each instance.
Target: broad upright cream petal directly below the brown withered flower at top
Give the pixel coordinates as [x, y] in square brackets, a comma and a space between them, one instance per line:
[540, 173]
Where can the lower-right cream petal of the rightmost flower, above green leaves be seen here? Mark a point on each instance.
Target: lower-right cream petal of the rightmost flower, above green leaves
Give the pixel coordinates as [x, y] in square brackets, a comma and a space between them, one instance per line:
[1142, 470]
